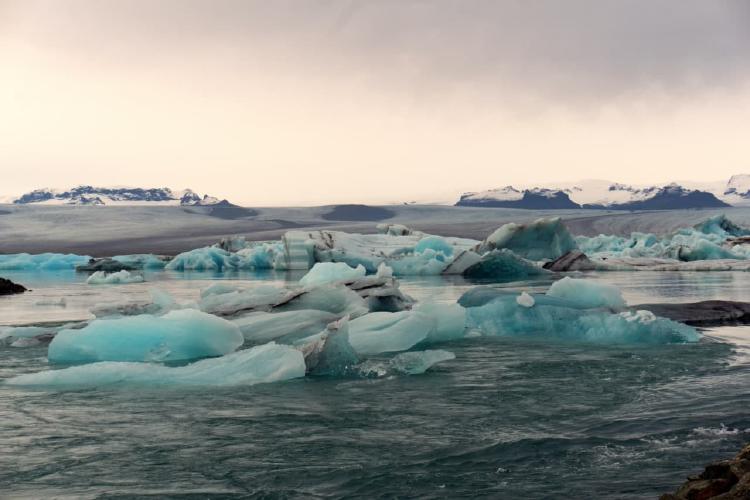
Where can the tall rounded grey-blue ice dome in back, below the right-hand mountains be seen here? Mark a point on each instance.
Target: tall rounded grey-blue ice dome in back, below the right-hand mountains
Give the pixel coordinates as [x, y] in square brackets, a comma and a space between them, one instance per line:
[540, 240]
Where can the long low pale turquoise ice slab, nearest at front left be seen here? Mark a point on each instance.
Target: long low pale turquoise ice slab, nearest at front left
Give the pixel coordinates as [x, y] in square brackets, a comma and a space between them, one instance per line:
[261, 364]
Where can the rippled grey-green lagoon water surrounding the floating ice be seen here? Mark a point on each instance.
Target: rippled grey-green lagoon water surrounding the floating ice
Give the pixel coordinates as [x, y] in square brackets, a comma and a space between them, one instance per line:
[506, 419]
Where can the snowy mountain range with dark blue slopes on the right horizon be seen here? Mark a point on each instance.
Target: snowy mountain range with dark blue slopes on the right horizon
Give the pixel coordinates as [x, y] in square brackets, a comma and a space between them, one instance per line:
[616, 196]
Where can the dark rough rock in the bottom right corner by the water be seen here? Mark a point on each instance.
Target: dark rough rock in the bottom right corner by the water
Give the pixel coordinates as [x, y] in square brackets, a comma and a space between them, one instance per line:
[725, 480]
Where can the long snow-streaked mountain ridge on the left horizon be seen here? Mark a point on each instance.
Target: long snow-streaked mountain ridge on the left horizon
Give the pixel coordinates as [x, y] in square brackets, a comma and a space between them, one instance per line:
[90, 195]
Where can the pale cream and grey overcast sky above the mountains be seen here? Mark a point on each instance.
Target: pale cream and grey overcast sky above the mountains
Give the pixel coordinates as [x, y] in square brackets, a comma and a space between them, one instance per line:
[308, 102]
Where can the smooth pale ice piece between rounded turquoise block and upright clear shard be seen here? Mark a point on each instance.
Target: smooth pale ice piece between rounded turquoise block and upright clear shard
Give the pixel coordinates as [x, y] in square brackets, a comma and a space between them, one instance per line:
[283, 327]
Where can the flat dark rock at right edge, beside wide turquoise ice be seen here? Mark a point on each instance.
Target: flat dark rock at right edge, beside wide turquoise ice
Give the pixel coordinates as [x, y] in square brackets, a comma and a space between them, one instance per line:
[706, 313]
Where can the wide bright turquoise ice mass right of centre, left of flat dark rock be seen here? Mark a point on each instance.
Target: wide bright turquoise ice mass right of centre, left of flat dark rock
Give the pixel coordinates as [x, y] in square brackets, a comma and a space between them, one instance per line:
[553, 317]
